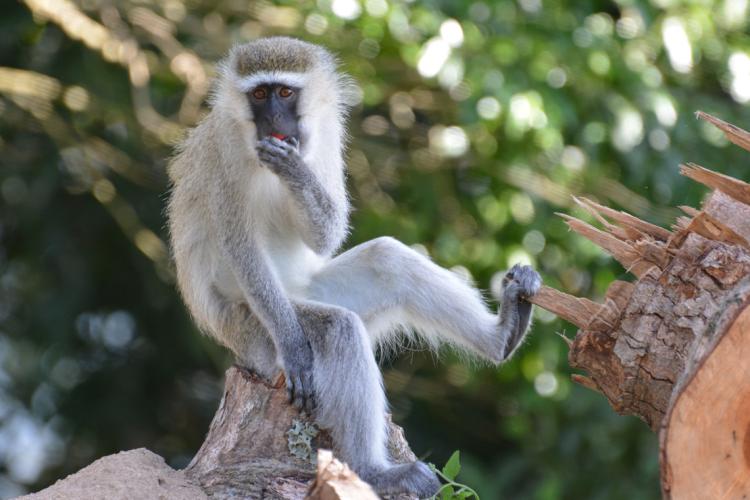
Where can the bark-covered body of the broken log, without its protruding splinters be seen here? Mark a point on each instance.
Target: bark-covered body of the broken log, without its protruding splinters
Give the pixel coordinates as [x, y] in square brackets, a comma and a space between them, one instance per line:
[637, 361]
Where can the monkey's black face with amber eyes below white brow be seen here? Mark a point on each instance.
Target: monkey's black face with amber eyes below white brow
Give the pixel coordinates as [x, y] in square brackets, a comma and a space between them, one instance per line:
[274, 108]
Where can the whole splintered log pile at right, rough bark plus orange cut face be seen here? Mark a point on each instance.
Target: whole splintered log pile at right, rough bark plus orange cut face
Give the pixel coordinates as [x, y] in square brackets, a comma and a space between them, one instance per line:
[673, 348]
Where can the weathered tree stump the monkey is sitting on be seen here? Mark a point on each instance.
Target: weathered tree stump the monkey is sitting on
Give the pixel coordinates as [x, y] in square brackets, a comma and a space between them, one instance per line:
[260, 447]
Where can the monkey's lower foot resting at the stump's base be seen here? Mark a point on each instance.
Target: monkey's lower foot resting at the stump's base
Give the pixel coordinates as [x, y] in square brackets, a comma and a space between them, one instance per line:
[415, 478]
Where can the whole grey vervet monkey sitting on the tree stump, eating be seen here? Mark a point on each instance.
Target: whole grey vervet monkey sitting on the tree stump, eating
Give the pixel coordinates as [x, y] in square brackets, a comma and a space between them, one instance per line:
[257, 211]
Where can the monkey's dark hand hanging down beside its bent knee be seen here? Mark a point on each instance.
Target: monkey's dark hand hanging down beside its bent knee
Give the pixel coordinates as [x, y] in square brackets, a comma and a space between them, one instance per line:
[298, 370]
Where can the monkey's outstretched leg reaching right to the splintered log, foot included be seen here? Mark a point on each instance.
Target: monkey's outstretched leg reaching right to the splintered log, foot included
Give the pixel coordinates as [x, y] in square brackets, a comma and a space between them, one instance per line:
[390, 285]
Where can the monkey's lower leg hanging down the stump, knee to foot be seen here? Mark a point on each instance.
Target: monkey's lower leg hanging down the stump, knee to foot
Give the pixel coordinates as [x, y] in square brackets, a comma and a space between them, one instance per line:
[350, 400]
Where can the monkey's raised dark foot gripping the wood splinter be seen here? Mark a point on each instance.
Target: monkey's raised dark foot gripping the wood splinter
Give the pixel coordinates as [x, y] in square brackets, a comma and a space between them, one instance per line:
[519, 283]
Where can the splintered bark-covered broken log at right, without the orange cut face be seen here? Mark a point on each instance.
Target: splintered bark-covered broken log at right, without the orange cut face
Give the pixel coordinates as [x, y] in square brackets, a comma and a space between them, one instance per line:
[636, 345]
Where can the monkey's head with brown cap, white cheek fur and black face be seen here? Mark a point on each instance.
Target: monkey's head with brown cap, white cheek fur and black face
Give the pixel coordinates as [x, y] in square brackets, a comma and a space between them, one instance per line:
[285, 87]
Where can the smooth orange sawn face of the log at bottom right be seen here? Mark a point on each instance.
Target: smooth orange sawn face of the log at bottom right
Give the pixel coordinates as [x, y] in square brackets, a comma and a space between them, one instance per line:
[705, 437]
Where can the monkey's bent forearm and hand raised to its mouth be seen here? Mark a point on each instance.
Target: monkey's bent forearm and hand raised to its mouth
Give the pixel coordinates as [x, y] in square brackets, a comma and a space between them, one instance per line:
[324, 223]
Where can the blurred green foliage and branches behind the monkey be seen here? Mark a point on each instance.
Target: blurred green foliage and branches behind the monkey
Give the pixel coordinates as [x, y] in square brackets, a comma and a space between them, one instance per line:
[477, 121]
